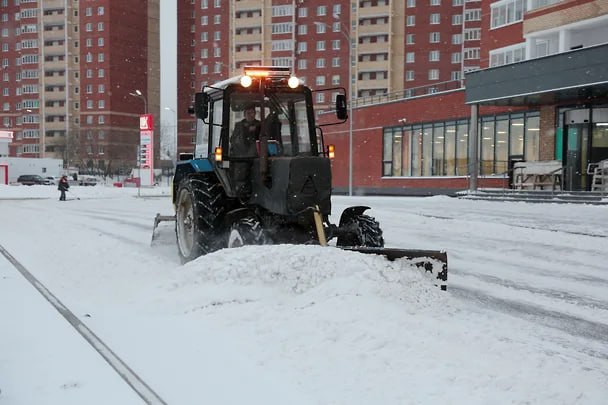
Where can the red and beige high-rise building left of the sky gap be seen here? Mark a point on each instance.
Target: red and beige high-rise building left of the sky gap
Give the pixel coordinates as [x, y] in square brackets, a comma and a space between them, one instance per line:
[76, 75]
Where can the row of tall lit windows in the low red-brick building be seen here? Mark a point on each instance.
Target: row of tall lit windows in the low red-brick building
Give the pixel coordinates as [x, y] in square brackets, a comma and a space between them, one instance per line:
[442, 148]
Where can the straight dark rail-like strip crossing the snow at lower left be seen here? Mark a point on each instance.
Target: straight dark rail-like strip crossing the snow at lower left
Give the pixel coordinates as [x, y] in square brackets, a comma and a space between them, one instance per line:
[137, 384]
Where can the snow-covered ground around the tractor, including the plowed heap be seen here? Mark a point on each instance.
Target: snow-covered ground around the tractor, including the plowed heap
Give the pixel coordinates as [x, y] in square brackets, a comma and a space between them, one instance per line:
[524, 320]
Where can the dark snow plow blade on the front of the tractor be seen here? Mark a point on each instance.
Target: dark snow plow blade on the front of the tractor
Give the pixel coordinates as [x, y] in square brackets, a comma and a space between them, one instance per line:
[432, 261]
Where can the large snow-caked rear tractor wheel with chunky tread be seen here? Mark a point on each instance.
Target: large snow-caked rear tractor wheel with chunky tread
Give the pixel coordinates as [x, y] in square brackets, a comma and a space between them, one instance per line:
[199, 212]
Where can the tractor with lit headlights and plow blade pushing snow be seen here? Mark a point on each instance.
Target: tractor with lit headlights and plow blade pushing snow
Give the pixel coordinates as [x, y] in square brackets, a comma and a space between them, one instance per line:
[260, 173]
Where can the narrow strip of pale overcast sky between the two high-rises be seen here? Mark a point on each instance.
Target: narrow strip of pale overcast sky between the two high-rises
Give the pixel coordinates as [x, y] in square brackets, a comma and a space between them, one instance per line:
[168, 59]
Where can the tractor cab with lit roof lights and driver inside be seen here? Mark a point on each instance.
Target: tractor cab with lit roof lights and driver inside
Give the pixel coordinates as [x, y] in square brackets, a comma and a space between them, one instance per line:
[259, 132]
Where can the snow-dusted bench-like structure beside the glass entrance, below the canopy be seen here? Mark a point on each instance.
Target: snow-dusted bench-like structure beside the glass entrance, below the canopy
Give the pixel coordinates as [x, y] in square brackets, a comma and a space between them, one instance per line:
[535, 175]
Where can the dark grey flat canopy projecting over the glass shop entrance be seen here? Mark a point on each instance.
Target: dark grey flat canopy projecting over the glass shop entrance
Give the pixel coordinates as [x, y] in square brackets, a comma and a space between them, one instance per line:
[568, 76]
